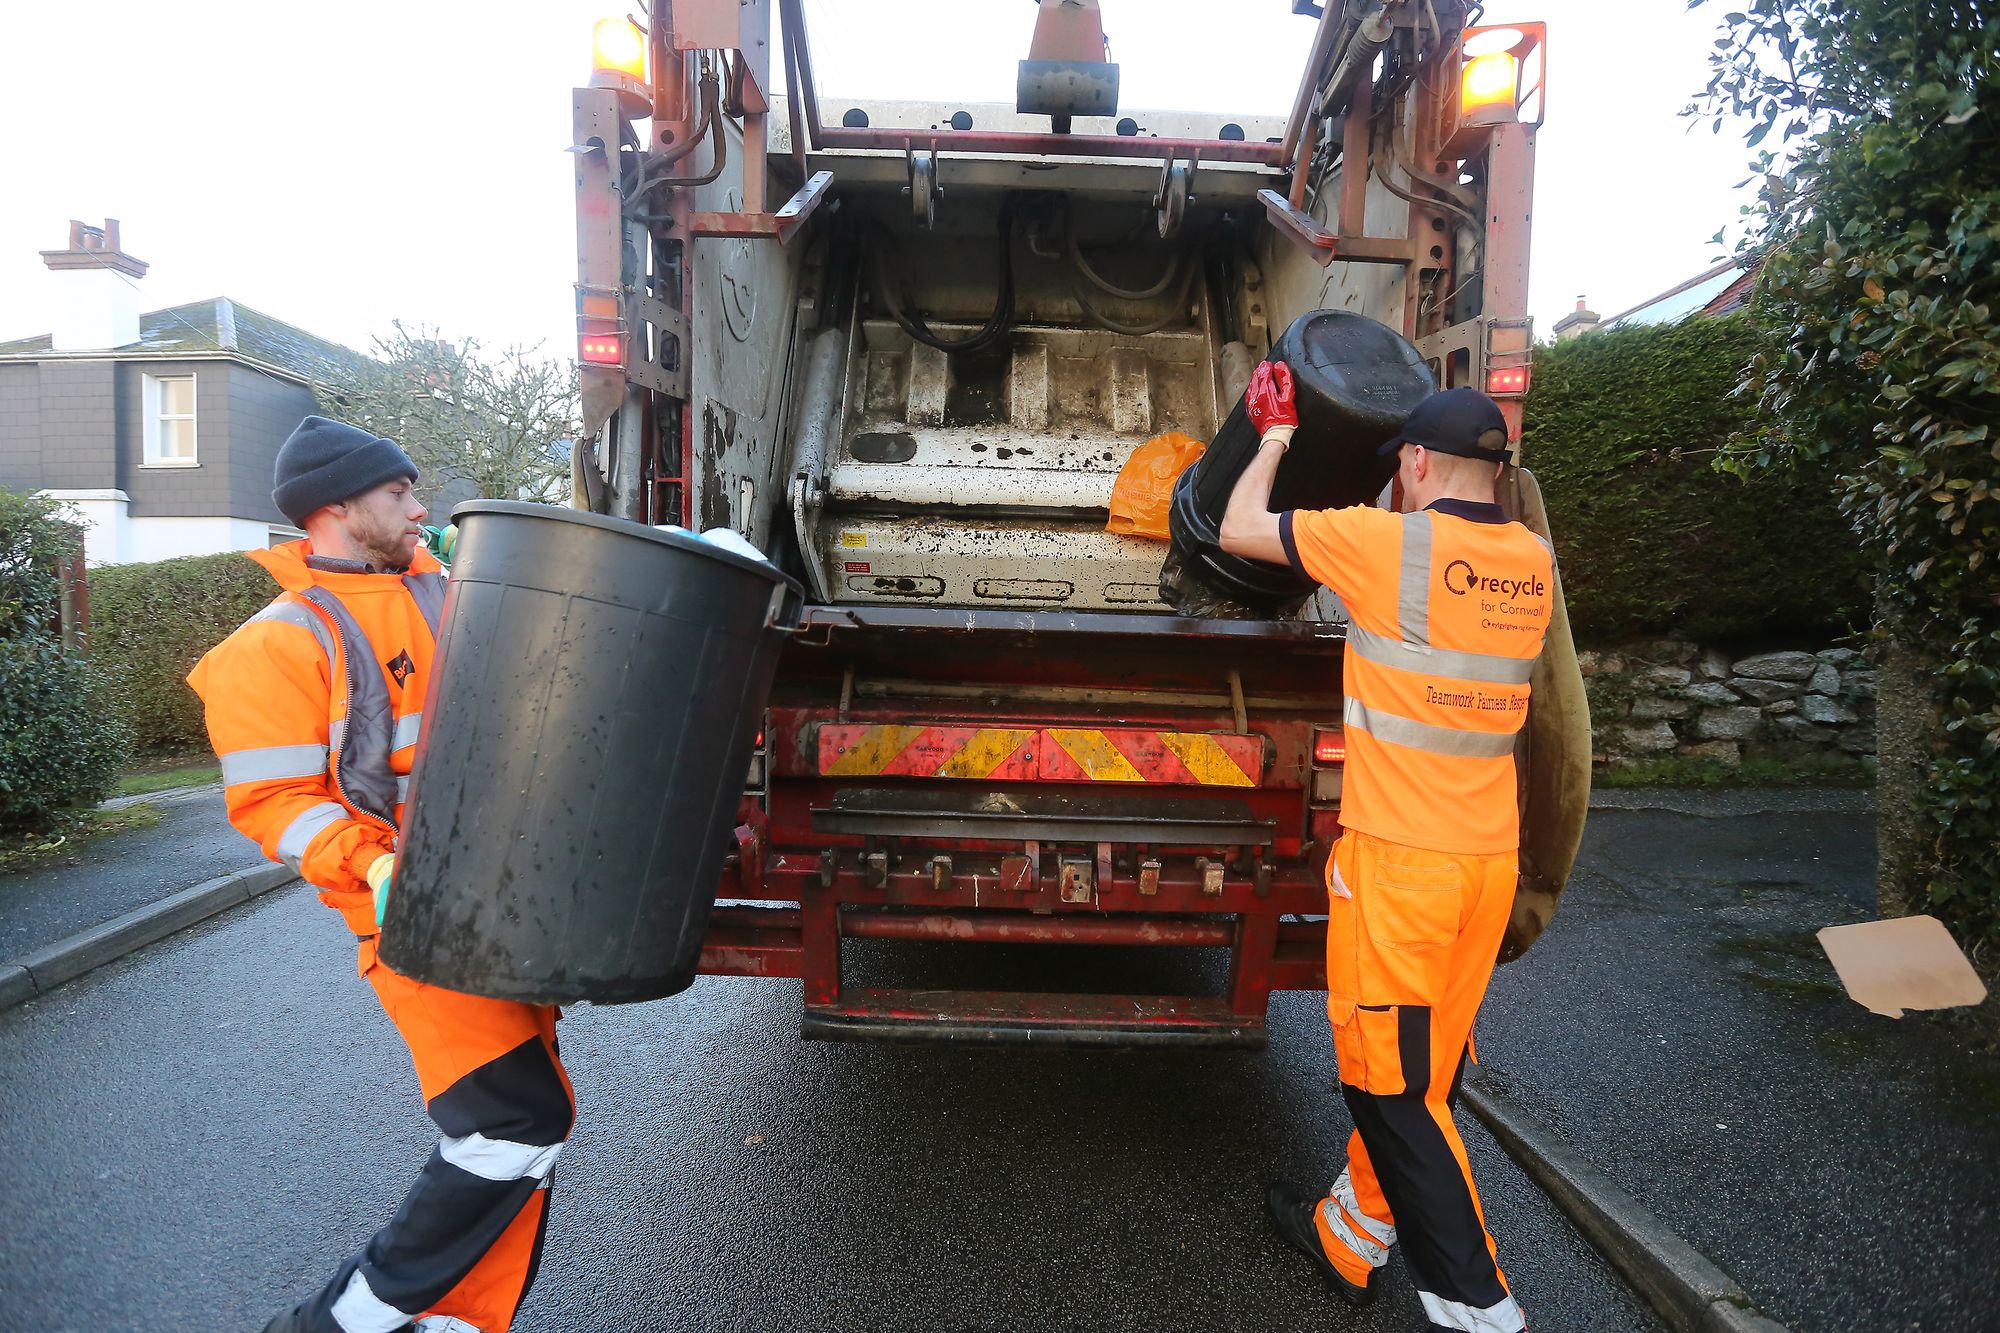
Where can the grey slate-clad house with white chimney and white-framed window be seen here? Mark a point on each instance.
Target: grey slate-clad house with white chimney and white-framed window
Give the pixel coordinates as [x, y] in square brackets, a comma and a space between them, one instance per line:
[161, 429]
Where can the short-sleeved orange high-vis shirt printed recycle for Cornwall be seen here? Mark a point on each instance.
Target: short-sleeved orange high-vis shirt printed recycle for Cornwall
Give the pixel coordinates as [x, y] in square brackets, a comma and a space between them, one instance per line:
[1447, 611]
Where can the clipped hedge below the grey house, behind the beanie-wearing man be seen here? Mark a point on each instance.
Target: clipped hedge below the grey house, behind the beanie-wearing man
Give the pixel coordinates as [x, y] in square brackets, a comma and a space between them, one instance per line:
[151, 623]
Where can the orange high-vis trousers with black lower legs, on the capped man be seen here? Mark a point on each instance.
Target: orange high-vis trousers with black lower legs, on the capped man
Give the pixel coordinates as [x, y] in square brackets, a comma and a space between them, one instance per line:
[1411, 946]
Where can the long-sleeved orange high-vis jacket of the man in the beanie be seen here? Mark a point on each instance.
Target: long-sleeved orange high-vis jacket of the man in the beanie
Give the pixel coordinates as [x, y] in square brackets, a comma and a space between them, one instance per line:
[315, 710]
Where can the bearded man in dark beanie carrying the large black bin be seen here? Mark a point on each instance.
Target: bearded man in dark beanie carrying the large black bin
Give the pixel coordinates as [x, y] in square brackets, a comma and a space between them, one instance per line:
[315, 708]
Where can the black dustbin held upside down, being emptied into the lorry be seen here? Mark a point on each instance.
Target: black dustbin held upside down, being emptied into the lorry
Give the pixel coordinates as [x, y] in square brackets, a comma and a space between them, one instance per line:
[1357, 383]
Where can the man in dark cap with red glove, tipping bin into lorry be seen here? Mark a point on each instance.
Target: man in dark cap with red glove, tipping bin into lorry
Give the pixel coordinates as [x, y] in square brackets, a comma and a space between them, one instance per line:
[1447, 607]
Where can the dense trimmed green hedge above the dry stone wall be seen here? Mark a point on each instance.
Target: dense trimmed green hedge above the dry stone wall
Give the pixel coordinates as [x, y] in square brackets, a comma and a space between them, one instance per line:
[1623, 429]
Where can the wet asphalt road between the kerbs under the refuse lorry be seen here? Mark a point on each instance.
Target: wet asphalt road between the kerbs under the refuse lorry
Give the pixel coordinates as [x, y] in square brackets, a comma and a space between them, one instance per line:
[197, 1134]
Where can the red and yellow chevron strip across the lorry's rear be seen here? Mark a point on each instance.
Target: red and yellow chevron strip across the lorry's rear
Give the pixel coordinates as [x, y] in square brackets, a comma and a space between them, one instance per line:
[1045, 756]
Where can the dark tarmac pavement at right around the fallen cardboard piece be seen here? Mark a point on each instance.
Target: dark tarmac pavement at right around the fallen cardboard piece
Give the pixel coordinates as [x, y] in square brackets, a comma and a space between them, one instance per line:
[1843, 1166]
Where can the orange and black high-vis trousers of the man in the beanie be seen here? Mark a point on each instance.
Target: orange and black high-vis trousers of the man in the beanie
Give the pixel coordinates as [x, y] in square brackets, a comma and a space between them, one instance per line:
[463, 1248]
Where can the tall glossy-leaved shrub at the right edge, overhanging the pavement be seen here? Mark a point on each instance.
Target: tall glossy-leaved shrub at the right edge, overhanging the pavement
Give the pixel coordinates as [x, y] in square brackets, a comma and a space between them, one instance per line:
[1881, 221]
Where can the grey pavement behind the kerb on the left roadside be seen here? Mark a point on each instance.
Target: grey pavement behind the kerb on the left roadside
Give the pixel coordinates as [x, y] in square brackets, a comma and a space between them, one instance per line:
[115, 874]
